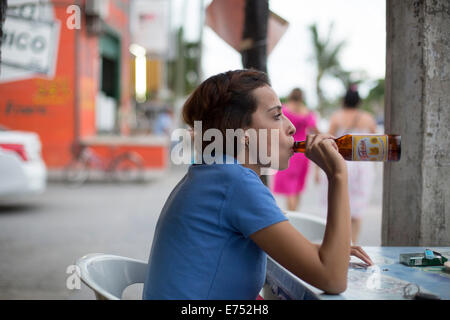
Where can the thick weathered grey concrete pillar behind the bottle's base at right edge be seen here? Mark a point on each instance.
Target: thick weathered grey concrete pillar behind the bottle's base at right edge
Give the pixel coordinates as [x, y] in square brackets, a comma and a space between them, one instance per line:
[416, 191]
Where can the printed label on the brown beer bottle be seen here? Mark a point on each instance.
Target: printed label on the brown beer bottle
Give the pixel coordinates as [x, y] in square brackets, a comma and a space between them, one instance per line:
[369, 147]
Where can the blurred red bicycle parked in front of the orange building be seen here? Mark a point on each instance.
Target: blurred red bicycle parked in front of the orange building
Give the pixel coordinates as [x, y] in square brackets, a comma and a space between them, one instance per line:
[125, 166]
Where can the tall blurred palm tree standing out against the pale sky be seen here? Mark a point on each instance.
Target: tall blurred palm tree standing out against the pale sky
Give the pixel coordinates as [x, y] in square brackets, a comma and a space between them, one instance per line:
[326, 58]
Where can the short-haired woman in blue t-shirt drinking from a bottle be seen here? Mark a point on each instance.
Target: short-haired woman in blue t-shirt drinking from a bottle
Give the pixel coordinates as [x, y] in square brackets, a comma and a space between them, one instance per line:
[220, 220]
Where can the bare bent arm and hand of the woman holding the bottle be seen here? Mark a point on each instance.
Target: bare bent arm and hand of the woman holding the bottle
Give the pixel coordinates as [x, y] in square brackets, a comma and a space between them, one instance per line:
[324, 267]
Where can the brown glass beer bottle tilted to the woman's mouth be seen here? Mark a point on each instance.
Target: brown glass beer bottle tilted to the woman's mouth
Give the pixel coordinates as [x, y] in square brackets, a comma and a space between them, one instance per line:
[367, 147]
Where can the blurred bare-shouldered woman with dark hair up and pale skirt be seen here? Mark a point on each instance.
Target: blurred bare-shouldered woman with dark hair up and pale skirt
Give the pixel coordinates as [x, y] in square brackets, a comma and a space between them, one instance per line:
[361, 175]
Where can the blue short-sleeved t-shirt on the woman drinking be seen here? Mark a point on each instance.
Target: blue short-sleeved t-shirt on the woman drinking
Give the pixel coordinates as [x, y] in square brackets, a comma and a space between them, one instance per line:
[201, 248]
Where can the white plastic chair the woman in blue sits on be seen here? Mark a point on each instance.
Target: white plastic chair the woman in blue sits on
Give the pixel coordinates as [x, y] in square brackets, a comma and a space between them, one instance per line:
[109, 275]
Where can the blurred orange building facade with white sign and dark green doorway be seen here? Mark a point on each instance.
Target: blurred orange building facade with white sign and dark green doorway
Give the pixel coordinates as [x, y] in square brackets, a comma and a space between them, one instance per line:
[66, 75]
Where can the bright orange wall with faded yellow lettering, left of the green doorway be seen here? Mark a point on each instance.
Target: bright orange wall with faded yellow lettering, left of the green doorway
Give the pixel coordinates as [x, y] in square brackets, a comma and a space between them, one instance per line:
[45, 105]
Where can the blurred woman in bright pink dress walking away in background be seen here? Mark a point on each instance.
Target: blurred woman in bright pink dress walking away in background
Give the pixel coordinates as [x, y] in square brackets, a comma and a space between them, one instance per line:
[291, 181]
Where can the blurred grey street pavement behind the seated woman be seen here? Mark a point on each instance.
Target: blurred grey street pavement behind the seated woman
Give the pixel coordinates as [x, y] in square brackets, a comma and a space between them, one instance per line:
[40, 240]
